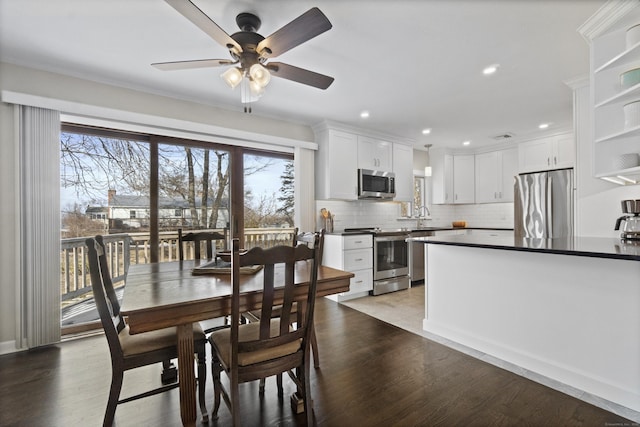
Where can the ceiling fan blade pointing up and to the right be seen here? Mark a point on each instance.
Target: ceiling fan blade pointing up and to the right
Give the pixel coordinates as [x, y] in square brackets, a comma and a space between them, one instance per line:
[305, 27]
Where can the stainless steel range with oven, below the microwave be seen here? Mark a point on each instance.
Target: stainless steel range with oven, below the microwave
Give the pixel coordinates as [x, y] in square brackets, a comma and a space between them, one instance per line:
[390, 259]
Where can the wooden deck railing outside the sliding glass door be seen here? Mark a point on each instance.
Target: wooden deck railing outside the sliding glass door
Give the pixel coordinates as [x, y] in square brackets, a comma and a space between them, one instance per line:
[133, 248]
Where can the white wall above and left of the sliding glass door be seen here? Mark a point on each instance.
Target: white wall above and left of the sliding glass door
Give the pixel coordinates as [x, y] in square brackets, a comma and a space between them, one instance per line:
[94, 98]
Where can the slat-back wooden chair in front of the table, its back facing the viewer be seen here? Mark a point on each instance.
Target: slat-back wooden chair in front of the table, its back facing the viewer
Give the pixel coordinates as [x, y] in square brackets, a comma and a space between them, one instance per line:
[253, 351]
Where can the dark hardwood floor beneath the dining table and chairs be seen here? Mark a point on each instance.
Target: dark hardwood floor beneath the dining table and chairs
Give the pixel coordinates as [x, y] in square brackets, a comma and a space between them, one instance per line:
[372, 374]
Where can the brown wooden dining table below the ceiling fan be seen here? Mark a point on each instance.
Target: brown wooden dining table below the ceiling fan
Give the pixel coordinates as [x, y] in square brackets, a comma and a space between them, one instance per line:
[167, 294]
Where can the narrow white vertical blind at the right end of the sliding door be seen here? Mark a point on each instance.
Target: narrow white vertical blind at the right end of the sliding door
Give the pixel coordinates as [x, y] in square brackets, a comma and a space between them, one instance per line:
[304, 189]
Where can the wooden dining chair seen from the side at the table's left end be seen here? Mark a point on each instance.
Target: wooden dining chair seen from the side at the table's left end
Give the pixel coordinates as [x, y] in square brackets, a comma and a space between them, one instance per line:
[129, 351]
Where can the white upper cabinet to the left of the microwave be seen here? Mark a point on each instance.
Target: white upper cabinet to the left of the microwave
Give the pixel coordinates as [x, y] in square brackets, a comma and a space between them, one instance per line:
[335, 165]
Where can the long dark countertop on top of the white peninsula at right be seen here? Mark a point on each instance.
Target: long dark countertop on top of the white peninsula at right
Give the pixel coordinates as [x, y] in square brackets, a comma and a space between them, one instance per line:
[598, 247]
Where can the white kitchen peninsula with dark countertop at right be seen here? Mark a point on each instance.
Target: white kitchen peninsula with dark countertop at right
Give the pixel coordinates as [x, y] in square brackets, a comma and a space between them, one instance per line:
[564, 310]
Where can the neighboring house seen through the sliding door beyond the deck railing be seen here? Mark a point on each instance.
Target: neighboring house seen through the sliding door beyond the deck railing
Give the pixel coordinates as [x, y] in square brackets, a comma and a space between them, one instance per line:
[126, 212]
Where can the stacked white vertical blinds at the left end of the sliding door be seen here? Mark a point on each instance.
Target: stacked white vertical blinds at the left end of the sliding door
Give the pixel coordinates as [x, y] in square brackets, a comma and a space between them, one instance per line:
[39, 288]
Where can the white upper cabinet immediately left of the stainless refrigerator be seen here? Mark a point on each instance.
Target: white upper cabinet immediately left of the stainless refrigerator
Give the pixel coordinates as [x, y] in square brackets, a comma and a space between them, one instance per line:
[494, 175]
